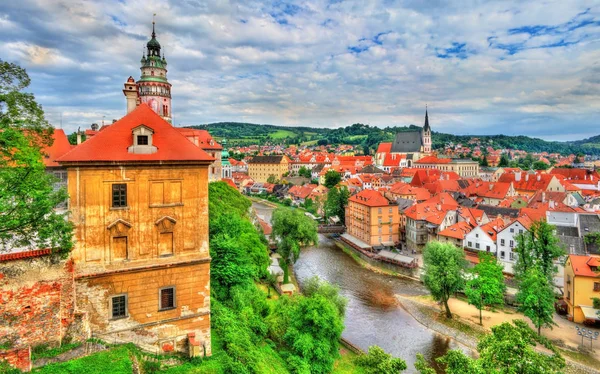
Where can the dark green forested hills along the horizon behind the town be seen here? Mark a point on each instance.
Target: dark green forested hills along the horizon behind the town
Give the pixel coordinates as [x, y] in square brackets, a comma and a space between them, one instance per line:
[237, 133]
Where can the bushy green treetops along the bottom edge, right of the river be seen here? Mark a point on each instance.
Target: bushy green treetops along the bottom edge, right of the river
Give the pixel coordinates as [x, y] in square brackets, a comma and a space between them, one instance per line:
[510, 348]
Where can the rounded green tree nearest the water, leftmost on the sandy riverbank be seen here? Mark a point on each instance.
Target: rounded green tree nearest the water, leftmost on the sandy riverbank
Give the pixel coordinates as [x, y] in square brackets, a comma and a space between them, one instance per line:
[443, 268]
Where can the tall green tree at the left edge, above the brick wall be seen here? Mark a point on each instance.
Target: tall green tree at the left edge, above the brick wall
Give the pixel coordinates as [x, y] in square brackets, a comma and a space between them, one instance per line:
[27, 197]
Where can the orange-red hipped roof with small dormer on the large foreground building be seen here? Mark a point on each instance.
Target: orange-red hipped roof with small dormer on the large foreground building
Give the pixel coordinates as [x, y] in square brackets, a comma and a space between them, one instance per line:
[111, 144]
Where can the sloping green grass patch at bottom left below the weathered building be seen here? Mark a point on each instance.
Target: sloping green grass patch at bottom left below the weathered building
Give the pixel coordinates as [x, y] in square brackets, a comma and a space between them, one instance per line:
[114, 361]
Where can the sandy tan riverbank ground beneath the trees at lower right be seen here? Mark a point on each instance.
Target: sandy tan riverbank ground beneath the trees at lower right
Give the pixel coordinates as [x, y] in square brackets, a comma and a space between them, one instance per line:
[467, 332]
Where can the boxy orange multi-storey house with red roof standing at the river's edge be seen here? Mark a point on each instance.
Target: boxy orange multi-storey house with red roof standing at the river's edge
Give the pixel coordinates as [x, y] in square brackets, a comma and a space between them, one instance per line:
[372, 219]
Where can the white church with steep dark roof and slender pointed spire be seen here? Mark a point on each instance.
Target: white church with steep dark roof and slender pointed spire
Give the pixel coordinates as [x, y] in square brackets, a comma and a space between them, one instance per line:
[407, 148]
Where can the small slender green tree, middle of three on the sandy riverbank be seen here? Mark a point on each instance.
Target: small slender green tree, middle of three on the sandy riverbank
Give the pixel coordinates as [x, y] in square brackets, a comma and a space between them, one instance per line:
[486, 286]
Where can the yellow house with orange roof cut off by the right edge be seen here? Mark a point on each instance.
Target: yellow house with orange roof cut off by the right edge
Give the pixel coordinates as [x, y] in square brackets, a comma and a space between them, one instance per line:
[582, 285]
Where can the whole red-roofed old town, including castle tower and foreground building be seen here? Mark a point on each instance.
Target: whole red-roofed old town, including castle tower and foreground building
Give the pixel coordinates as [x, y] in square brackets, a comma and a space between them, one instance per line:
[138, 199]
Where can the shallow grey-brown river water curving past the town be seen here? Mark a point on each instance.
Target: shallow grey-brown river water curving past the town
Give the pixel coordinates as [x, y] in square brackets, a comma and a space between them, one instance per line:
[373, 317]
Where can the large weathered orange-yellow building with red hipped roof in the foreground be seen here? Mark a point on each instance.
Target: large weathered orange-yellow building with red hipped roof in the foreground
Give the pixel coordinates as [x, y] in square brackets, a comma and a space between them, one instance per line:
[139, 203]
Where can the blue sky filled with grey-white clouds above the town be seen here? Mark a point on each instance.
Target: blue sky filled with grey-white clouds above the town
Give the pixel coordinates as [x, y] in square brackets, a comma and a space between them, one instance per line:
[482, 67]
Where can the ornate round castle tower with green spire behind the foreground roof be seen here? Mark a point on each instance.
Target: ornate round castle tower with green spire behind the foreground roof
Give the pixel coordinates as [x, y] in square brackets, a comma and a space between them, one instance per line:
[152, 87]
